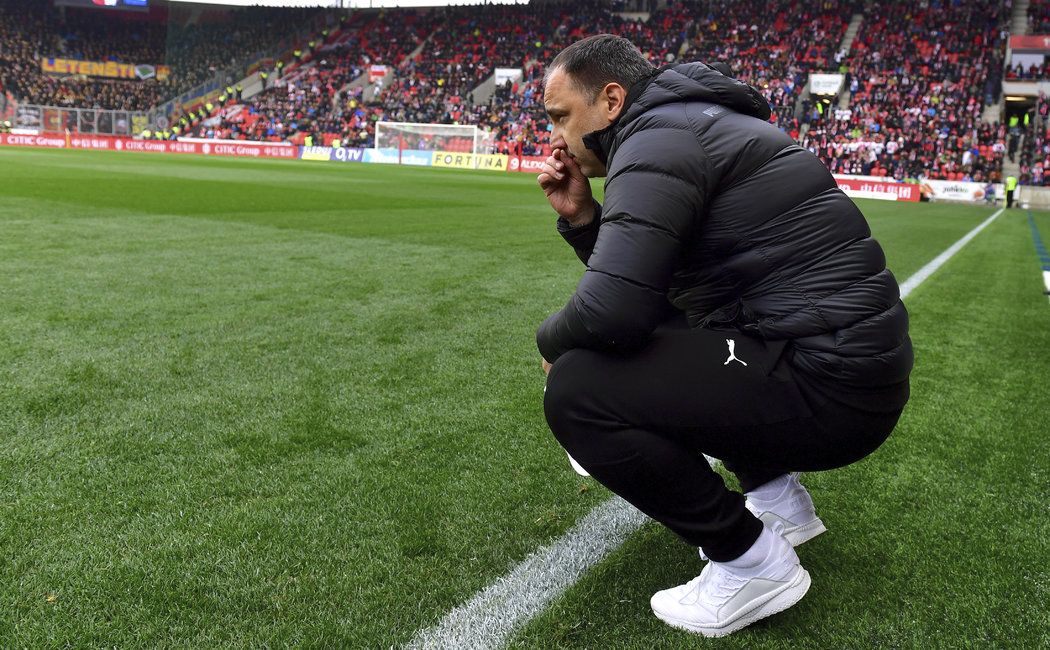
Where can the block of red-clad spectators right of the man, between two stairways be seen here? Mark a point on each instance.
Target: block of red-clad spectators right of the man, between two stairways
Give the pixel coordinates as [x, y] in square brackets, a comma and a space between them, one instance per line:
[917, 82]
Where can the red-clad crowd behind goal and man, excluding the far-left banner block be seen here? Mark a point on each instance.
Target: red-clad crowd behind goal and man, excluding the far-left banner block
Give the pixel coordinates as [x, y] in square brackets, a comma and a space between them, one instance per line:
[937, 61]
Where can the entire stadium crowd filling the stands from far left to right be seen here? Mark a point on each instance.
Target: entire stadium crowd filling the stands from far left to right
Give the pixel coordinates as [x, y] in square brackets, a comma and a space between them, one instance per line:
[918, 76]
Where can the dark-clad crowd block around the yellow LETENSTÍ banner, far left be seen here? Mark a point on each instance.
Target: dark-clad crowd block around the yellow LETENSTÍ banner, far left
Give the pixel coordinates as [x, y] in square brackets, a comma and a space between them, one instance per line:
[195, 46]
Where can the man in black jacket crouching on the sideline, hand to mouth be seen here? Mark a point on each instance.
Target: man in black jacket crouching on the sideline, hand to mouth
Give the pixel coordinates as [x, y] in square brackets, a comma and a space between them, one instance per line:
[734, 305]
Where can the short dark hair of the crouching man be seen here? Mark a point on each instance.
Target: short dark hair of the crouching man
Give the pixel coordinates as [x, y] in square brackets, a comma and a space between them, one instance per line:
[597, 61]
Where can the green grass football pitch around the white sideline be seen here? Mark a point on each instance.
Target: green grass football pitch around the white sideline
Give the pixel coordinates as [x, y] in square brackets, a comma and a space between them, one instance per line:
[251, 404]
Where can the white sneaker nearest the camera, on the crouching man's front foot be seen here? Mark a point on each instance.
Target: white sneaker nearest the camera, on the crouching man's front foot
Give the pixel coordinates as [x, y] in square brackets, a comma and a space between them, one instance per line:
[724, 599]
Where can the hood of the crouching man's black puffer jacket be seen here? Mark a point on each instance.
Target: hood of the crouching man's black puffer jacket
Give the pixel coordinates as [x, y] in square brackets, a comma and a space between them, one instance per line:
[690, 82]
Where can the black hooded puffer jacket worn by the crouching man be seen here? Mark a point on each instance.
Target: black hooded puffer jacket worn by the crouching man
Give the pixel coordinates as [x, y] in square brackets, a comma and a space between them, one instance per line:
[712, 211]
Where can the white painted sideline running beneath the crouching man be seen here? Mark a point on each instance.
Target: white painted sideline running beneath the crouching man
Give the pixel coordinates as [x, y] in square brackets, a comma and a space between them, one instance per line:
[488, 620]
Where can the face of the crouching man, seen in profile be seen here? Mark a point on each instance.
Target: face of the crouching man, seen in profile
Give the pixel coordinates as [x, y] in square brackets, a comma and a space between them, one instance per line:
[574, 115]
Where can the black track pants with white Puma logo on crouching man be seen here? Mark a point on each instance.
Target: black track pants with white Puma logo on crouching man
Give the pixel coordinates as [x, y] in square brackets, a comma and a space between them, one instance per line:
[640, 425]
